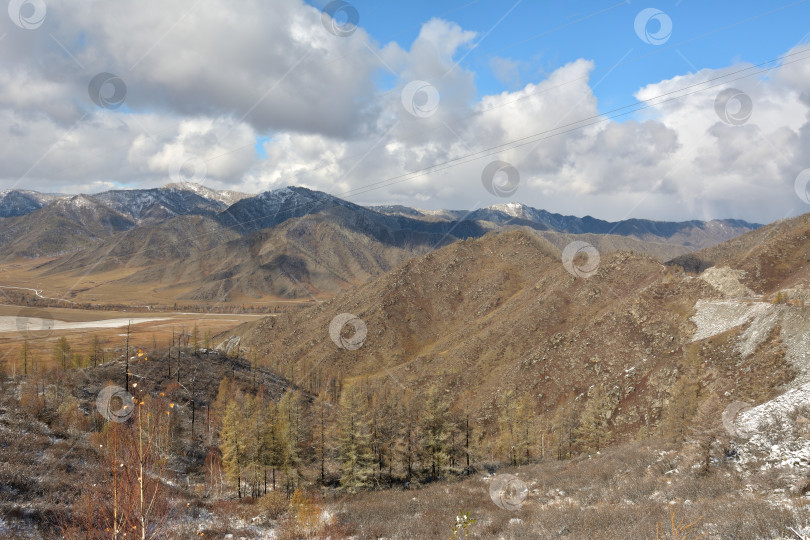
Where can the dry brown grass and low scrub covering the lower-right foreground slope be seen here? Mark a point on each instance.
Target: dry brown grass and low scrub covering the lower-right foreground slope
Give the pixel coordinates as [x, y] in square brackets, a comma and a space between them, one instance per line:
[625, 493]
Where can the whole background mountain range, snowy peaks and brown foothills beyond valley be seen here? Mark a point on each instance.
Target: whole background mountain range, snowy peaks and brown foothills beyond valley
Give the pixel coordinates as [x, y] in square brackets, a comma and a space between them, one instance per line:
[187, 242]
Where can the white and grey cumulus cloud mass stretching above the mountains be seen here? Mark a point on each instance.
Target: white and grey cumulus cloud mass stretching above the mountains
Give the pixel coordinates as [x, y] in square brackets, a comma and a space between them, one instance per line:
[206, 79]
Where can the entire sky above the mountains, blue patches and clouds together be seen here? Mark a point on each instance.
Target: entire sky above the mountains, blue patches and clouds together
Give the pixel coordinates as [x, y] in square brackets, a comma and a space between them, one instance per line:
[254, 95]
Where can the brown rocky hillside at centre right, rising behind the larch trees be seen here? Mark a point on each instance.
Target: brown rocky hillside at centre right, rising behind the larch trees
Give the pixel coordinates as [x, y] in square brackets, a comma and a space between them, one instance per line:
[481, 317]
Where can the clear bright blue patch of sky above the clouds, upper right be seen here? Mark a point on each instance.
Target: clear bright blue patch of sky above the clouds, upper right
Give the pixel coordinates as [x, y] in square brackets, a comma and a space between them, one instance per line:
[541, 36]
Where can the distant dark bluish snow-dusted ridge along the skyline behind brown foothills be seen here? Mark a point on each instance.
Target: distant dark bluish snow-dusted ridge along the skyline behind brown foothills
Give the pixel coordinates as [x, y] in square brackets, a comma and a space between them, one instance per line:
[248, 213]
